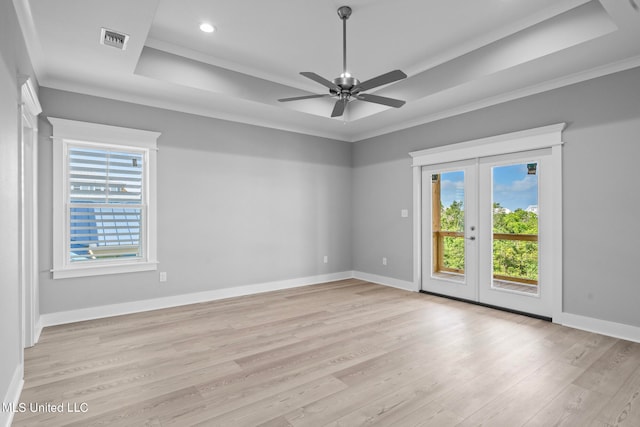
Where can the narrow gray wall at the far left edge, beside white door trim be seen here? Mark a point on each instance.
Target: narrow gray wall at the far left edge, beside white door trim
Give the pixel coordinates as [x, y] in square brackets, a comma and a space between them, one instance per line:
[13, 61]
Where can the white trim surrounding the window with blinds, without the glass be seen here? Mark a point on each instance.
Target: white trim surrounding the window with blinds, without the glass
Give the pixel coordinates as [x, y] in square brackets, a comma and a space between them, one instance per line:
[70, 131]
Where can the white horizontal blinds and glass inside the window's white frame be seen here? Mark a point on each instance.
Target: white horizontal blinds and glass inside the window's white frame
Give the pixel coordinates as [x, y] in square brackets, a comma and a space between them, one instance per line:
[106, 204]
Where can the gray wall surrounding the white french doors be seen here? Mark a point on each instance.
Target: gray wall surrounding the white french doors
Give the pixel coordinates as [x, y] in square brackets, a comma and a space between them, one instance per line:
[601, 196]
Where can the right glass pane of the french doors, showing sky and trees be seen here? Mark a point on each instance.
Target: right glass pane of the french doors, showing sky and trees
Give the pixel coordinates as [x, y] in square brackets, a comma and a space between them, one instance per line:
[515, 227]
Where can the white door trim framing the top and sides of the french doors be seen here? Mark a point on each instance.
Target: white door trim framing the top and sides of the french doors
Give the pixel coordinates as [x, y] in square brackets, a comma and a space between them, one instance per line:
[515, 142]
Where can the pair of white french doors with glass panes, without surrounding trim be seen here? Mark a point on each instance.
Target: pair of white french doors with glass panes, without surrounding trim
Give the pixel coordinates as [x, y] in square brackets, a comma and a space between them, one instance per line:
[485, 229]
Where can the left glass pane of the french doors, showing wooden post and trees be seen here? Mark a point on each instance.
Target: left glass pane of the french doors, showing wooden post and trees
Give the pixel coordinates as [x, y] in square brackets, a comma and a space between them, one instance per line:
[447, 191]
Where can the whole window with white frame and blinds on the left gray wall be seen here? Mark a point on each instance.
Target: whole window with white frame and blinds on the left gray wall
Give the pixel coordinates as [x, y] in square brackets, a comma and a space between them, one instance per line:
[104, 199]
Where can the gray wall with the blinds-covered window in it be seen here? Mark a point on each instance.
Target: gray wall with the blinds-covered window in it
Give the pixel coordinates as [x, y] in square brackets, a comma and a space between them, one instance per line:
[237, 204]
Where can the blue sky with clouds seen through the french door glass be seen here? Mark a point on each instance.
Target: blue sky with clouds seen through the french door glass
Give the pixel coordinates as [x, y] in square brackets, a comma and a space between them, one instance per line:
[513, 188]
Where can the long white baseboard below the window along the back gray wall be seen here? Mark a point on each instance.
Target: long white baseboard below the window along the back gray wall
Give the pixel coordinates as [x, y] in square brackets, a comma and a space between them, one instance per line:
[59, 318]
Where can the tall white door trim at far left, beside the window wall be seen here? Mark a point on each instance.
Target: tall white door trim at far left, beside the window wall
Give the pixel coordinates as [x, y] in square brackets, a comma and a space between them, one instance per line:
[29, 307]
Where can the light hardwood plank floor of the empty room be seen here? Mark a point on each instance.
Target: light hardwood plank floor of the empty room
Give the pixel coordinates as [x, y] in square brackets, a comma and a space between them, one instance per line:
[345, 353]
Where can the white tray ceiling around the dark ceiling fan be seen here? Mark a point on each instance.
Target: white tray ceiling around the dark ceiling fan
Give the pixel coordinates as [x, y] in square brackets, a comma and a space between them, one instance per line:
[460, 55]
